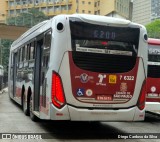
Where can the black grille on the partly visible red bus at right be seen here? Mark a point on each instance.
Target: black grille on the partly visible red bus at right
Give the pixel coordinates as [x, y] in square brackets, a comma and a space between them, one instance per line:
[153, 71]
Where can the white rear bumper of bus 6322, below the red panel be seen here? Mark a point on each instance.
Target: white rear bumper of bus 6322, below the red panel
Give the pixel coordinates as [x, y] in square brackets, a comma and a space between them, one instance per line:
[131, 114]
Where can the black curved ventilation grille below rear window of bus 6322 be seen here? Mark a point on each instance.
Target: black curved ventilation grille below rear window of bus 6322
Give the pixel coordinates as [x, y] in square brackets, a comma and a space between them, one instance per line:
[103, 63]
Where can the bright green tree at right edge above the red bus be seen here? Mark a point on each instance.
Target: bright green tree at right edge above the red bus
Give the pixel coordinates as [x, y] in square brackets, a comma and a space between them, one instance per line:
[153, 29]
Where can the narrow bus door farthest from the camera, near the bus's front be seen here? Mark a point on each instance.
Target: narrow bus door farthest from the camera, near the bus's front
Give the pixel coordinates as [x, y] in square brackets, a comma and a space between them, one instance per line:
[15, 61]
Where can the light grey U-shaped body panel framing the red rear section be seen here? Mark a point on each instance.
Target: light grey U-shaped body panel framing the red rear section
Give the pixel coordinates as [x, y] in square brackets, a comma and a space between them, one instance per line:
[67, 83]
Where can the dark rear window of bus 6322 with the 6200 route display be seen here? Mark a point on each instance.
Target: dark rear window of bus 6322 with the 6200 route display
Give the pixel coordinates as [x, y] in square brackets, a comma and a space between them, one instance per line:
[104, 39]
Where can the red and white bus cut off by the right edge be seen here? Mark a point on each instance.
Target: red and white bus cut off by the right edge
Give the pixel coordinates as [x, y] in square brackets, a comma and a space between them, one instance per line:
[153, 77]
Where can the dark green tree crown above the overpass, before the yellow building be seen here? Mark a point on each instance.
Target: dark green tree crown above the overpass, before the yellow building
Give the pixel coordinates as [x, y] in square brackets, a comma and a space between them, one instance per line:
[28, 19]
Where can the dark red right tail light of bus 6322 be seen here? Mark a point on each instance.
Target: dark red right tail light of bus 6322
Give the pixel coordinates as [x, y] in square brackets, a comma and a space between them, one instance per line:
[142, 97]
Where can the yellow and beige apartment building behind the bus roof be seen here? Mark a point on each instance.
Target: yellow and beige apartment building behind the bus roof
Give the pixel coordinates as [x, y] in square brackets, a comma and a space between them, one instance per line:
[114, 8]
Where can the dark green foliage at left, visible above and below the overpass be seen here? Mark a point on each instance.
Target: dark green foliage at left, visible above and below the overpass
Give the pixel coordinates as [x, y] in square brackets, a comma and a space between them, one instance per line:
[27, 19]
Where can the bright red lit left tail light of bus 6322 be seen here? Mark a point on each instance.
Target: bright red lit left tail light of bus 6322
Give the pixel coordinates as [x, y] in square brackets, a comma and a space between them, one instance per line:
[58, 98]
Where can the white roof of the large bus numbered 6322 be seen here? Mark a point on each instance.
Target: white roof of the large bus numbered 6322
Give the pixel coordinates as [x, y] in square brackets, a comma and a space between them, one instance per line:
[95, 19]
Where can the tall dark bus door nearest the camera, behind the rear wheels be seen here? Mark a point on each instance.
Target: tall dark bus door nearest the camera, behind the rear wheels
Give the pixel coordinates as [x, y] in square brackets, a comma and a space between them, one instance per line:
[37, 74]
